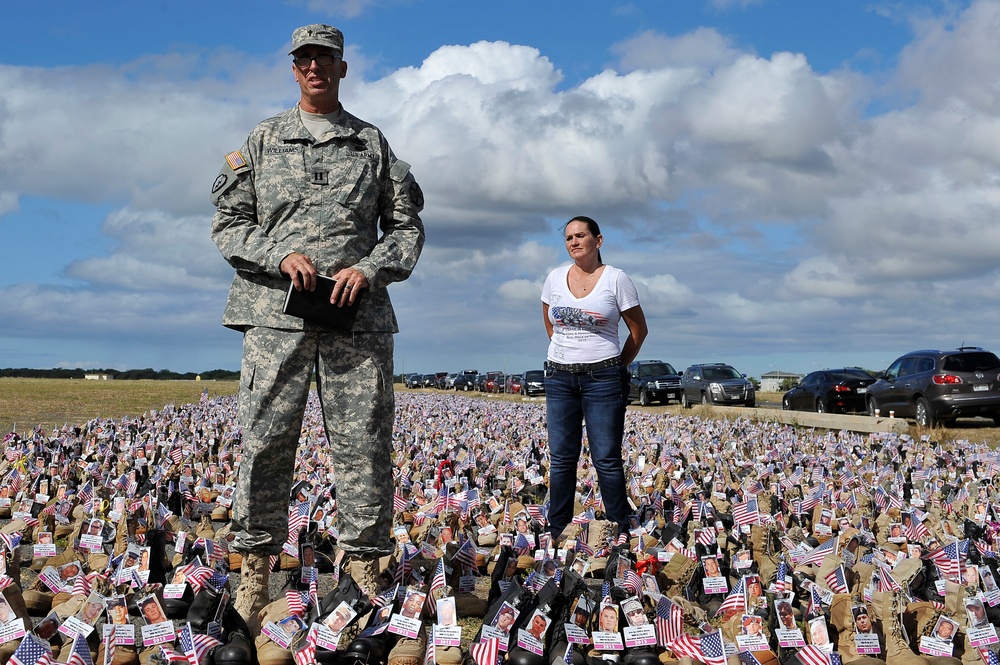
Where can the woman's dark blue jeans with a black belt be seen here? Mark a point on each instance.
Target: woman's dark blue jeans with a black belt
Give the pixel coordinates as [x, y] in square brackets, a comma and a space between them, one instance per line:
[599, 399]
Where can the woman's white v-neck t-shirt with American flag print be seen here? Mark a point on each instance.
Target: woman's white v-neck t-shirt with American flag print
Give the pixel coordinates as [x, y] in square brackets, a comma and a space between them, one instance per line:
[585, 330]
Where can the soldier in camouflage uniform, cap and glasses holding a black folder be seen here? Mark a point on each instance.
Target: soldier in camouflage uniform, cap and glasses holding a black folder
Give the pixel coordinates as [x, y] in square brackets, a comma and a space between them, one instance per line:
[314, 190]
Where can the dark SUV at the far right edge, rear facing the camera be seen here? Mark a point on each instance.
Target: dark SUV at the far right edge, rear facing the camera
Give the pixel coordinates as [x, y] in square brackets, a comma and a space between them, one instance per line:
[936, 386]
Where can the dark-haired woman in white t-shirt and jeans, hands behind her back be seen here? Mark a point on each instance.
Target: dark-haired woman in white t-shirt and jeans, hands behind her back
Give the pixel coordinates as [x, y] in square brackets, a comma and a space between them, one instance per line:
[586, 376]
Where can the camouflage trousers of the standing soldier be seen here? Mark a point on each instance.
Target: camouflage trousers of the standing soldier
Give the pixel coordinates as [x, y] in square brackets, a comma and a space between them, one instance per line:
[354, 380]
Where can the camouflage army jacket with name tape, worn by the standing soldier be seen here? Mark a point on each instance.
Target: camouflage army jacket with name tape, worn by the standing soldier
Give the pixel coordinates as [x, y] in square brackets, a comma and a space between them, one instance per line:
[343, 201]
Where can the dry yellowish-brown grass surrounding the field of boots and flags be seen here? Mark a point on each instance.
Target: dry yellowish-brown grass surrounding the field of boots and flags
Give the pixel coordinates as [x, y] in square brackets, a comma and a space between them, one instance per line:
[25, 403]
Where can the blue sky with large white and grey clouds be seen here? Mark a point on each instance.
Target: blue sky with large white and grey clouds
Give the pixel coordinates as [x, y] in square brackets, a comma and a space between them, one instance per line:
[792, 185]
